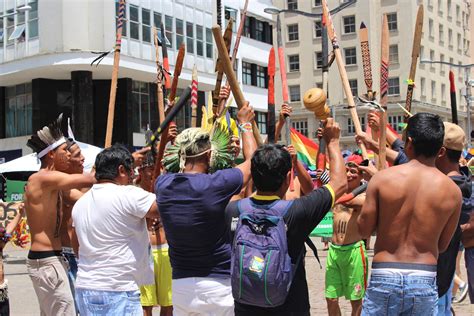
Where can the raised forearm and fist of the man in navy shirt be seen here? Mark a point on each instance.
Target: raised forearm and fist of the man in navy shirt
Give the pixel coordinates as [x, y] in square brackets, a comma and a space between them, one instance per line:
[245, 117]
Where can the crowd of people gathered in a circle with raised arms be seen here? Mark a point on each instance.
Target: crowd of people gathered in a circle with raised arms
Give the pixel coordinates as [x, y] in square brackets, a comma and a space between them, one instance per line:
[210, 237]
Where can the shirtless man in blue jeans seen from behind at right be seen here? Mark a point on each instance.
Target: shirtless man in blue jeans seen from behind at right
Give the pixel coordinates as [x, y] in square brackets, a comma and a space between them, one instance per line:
[415, 209]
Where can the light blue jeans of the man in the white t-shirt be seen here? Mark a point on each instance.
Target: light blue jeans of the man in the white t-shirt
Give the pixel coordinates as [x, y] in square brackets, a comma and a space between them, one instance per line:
[91, 302]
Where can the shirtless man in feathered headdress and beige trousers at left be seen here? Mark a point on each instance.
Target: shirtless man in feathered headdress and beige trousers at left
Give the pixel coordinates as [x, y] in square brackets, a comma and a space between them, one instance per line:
[43, 208]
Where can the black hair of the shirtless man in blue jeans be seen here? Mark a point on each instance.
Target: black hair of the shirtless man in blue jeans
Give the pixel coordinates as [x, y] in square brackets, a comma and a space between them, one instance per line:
[427, 133]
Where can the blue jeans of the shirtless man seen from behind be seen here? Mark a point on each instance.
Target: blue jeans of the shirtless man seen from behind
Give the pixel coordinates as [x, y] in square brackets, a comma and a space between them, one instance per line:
[400, 295]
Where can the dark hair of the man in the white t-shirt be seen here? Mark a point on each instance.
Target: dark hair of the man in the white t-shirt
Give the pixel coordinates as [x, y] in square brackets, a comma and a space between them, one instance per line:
[108, 161]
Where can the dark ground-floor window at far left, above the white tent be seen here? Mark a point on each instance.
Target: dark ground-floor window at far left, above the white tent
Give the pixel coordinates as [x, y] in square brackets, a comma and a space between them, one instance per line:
[18, 110]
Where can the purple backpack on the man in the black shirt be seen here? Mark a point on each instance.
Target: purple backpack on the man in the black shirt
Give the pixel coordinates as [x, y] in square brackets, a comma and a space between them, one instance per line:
[261, 269]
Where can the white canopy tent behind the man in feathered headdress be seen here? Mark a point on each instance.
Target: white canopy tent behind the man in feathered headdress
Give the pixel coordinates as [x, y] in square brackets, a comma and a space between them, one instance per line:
[31, 162]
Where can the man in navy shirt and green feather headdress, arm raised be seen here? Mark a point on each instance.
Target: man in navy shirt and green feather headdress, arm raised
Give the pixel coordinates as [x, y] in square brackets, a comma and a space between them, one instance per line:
[192, 207]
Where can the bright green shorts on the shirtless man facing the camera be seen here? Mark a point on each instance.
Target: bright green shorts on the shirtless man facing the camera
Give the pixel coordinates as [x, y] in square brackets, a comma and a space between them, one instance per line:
[346, 271]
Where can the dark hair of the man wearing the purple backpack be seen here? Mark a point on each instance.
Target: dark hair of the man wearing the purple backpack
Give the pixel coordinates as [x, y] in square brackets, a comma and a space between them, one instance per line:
[270, 165]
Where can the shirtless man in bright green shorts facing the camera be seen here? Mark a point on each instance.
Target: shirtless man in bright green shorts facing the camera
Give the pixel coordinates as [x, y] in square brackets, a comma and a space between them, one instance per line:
[346, 267]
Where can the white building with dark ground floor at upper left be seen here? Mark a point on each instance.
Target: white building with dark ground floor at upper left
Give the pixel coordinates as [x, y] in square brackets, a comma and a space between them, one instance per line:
[46, 52]
